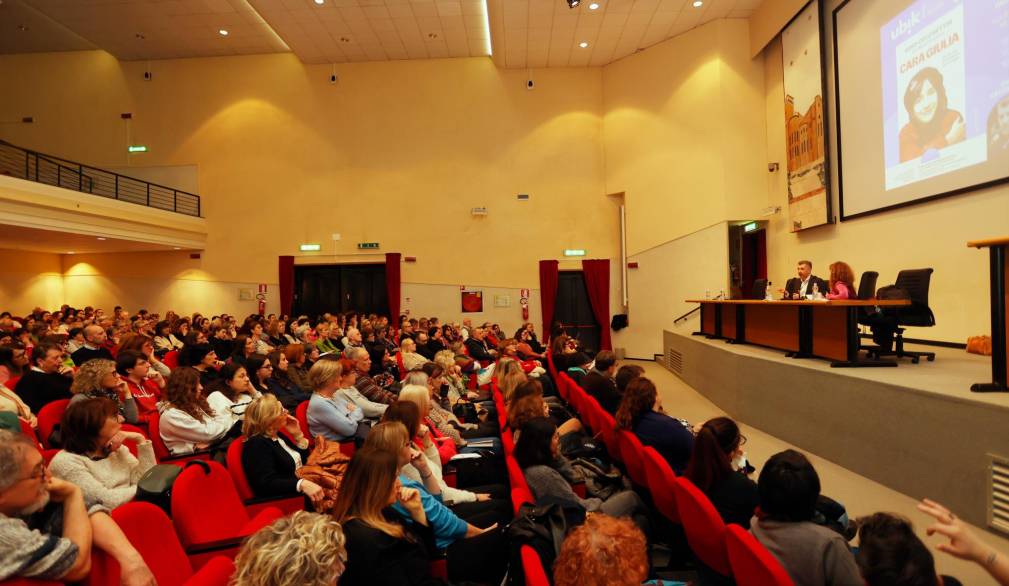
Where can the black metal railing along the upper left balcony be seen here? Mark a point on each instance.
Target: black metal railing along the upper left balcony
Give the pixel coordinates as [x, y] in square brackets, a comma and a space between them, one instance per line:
[46, 169]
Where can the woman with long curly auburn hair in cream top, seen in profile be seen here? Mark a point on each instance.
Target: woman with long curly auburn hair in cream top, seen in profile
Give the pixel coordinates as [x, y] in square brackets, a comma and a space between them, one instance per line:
[188, 422]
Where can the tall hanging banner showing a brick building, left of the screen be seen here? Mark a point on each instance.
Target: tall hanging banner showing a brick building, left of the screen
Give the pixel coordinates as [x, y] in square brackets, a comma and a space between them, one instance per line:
[809, 200]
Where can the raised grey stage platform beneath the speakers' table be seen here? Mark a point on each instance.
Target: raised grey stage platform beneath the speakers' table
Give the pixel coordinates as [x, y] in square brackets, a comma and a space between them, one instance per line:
[917, 429]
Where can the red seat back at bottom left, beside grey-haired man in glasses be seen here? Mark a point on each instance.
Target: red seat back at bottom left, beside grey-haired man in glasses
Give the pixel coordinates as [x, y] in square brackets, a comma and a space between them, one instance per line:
[150, 531]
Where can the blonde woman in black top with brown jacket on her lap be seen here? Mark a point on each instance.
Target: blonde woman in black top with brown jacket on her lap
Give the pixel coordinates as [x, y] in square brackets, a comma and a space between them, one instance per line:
[270, 458]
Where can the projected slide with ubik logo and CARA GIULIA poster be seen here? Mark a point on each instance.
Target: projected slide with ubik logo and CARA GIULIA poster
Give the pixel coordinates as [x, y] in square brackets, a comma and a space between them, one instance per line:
[936, 94]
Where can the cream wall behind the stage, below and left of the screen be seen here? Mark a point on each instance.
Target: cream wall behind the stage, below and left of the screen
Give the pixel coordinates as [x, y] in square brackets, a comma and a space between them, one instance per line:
[932, 235]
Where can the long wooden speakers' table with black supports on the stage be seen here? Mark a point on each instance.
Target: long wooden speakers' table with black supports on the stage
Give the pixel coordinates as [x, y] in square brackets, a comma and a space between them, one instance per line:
[804, 328]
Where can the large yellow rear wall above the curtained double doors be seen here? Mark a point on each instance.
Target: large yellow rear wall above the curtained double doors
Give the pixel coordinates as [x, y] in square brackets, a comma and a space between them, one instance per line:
[286, 158]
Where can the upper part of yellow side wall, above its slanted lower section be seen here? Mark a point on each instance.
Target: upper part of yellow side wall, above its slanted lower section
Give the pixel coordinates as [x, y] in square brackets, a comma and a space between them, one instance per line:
[681, 135]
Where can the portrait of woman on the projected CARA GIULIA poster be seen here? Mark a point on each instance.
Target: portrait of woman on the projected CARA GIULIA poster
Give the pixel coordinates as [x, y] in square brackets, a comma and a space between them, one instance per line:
[933, 125]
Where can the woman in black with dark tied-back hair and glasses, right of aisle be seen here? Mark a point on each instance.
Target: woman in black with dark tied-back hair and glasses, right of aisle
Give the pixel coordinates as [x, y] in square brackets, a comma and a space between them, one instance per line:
[718, 466]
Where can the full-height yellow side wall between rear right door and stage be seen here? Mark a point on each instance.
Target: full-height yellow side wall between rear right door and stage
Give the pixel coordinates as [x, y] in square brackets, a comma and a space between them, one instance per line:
[683, 142]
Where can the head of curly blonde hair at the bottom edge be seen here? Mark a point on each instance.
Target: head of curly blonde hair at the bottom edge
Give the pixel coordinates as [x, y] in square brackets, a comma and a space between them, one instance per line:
[306, 549]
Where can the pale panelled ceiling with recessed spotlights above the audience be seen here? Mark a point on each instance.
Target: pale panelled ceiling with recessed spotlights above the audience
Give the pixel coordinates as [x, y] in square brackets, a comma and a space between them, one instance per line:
[525, 34]
